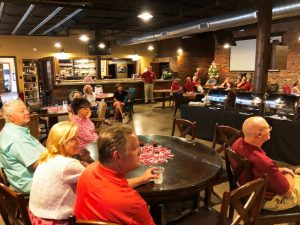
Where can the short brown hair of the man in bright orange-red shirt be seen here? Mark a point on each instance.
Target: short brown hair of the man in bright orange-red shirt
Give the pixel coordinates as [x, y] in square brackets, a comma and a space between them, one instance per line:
[112, 139]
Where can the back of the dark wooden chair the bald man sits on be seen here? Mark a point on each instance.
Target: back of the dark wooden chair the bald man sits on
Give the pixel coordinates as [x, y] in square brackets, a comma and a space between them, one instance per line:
[237, 168]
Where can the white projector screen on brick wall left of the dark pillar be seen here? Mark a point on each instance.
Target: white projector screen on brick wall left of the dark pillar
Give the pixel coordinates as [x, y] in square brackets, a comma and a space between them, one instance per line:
[242, 56]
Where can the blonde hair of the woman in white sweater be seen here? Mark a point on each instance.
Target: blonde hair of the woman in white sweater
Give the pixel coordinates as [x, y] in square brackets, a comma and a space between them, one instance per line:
[58, 136]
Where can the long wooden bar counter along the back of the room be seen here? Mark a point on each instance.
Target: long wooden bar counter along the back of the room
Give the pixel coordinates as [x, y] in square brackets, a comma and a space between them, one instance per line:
[61, 90]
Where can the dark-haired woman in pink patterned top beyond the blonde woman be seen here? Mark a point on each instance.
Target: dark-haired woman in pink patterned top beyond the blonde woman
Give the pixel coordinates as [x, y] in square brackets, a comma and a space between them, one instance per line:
[87, 135]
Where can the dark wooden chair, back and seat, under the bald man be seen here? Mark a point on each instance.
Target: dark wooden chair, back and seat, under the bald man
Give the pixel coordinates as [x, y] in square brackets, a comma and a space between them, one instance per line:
[242, 165]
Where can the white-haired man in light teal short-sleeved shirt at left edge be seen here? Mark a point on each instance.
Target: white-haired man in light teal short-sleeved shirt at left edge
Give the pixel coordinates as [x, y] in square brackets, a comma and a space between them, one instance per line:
[19, 151]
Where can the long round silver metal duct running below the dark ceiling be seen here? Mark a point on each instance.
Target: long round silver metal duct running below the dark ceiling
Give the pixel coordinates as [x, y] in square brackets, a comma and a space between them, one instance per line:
[239, 18]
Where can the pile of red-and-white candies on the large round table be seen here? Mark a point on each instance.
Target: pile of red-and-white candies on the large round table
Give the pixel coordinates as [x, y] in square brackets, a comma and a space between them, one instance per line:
[154, 155]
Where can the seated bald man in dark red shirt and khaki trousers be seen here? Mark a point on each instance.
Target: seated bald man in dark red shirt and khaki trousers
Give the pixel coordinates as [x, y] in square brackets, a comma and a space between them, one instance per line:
[282, 182]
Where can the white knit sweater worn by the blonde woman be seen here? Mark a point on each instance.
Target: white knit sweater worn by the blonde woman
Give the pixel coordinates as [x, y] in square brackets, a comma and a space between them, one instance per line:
[53, 189]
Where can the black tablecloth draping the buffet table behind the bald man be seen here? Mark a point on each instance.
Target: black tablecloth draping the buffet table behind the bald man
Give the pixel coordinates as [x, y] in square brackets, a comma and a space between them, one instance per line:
[284, 142]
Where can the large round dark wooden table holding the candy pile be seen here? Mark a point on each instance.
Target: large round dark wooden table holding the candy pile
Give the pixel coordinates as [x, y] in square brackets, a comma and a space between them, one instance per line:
[193, 168]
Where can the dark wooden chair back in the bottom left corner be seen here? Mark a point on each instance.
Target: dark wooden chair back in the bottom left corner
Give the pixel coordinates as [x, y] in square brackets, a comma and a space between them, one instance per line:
[14, 206]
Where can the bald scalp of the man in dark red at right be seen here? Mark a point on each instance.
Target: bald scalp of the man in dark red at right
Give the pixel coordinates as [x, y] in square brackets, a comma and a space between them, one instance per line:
[254, 124]
